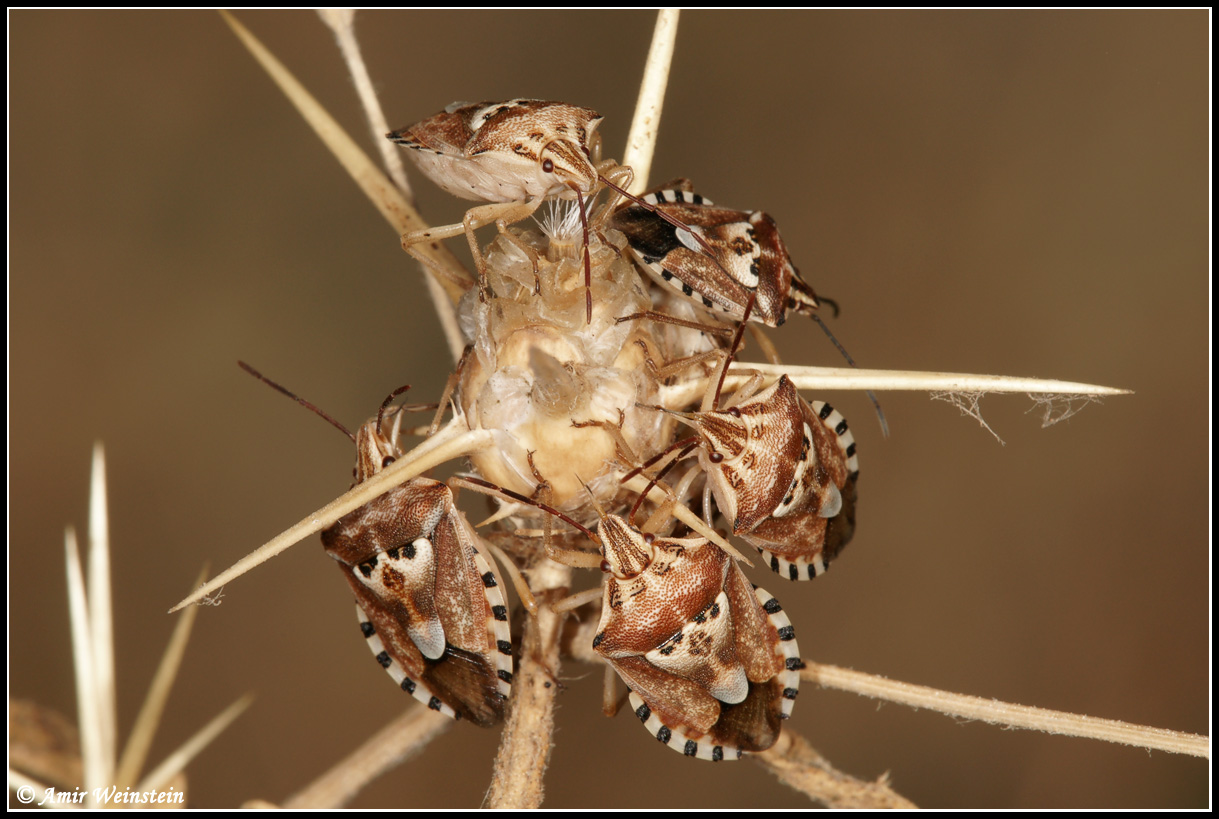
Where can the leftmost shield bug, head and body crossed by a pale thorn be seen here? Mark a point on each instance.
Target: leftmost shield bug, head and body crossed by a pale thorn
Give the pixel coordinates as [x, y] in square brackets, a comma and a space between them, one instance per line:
[428, 600]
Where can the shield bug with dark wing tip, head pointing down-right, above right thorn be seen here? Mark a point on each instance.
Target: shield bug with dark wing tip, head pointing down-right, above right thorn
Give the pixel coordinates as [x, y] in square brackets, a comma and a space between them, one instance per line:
[748, 254]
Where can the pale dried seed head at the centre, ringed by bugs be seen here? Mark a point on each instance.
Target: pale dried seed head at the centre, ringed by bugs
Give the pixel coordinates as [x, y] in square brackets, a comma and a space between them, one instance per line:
[539, 369]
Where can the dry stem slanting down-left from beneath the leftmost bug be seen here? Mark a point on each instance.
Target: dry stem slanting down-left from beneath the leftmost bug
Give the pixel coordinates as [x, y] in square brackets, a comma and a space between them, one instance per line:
[387, 749]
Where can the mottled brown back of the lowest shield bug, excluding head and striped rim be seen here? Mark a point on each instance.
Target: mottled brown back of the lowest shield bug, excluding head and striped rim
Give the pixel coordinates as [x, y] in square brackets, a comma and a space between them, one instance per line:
[644, 614]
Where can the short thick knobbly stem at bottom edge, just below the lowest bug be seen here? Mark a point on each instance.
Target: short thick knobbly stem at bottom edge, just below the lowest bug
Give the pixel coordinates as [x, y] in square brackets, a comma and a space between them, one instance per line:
[798, 765]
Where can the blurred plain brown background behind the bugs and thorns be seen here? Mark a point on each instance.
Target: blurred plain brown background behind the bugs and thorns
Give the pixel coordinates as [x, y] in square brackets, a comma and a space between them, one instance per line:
[995, 193]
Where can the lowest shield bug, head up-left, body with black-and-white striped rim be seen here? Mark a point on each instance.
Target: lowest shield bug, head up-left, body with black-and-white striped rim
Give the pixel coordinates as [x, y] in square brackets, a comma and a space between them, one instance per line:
[713, 664]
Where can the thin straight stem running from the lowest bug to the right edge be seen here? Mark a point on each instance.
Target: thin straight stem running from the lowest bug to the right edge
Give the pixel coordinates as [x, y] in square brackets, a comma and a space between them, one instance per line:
[1009, 715]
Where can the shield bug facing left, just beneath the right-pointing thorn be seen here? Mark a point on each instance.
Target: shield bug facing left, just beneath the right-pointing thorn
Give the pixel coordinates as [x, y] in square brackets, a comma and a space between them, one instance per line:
[784, 476]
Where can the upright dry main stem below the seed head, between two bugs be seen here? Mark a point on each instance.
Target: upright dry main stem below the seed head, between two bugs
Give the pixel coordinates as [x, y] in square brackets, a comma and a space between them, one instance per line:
[525, 751]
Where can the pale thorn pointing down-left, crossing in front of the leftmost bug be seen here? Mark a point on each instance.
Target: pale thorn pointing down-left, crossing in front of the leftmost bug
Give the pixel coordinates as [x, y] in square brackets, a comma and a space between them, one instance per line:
[453, 442]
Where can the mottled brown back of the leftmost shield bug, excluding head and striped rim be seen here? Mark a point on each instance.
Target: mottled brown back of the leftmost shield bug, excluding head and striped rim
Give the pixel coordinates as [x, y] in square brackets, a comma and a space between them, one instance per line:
[465, 677]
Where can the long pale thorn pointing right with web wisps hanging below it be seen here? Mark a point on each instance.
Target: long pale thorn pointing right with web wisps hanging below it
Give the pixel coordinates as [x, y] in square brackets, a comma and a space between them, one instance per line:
[845, 378]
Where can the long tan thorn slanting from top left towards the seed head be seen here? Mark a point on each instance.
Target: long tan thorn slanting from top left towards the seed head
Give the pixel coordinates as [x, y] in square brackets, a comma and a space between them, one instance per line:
[381, 192]
